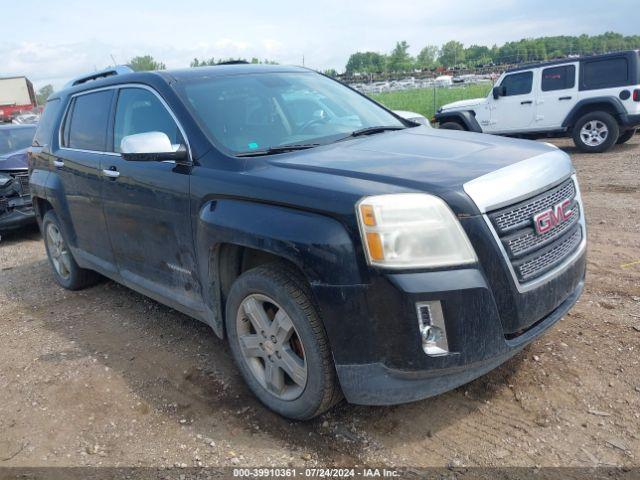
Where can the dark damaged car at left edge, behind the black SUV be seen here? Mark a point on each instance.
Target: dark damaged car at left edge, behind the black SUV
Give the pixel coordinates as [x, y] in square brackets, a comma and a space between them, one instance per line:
[16, 208]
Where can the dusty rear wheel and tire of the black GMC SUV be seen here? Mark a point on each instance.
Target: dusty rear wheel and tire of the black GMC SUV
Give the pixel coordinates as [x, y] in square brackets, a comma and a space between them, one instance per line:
[66, 271]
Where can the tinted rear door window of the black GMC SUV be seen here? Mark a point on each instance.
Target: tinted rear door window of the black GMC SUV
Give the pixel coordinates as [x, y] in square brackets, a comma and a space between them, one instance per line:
[88, 122]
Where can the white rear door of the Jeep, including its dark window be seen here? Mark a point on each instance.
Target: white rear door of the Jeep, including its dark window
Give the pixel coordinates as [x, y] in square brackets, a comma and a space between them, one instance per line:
[558, 94]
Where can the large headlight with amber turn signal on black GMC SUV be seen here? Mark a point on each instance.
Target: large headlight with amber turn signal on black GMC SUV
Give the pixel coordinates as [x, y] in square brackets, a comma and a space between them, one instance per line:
[412, 230]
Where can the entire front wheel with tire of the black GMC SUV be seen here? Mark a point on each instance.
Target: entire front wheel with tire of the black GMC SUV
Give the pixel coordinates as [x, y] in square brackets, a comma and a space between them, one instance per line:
[271, 344]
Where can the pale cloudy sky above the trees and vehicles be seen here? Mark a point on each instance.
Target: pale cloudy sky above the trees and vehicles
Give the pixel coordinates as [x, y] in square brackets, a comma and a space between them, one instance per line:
[51, 42]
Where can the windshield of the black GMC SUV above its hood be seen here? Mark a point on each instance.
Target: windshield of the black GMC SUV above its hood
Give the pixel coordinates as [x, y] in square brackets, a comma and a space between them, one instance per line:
[261, 111]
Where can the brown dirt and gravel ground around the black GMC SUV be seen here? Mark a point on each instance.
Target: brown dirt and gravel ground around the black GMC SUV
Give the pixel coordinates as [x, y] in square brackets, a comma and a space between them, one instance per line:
[105, 376]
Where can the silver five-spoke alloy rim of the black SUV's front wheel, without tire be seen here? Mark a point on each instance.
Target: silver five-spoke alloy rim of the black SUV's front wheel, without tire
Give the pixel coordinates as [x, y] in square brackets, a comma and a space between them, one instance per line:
[271, 347]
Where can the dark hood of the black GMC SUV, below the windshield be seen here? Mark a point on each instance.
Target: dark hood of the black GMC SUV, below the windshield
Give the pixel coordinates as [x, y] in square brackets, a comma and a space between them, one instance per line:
[424, 159]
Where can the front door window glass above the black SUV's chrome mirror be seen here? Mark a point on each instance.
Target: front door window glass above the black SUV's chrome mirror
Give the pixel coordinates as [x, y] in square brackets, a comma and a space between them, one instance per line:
[140, 111]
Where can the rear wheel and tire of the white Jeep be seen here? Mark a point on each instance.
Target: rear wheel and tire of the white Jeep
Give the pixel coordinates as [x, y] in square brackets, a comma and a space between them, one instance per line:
[595, 132]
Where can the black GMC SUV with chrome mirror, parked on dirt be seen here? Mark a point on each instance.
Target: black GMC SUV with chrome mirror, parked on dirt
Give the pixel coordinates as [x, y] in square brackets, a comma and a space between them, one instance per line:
[341, 249]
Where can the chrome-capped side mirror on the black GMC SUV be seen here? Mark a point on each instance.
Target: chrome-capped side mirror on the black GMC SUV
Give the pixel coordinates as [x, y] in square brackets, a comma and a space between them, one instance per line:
[152, 147]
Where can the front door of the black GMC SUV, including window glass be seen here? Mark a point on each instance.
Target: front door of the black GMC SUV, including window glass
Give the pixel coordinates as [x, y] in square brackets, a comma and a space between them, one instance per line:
[147, 204]
